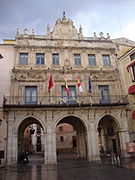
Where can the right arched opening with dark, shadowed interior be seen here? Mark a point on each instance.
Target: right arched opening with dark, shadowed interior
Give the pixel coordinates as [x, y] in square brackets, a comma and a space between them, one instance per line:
[108, 133]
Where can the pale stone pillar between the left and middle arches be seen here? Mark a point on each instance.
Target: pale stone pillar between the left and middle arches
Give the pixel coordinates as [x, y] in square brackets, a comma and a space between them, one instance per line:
[50, 146]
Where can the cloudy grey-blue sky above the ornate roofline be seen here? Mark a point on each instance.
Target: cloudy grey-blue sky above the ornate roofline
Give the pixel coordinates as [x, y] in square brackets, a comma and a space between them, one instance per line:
[116, 17]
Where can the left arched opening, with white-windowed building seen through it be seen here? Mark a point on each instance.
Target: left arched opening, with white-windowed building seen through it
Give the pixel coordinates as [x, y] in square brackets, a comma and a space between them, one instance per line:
[31, 140]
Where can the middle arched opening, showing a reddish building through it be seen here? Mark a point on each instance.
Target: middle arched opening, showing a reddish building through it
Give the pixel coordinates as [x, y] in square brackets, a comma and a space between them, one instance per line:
[71, 137]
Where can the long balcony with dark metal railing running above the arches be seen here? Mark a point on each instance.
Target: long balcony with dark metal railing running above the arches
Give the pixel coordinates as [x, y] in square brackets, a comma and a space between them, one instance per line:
[47, 101]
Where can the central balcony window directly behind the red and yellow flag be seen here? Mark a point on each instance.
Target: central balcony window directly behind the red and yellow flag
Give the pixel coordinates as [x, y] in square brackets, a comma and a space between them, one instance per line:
[72, 95]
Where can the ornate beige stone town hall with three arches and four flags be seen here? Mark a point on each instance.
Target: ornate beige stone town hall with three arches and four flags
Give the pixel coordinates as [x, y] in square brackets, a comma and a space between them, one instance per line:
[85, 92]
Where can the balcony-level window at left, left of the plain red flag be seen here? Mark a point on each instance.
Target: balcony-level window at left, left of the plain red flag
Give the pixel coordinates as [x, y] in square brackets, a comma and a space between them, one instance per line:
[30, 95]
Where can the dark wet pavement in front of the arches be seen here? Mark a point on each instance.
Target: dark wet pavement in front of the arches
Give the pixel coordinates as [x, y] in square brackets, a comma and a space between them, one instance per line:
[68, 168]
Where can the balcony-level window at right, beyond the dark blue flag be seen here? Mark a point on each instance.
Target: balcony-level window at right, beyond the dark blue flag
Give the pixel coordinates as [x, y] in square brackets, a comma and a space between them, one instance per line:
[104, 93]
